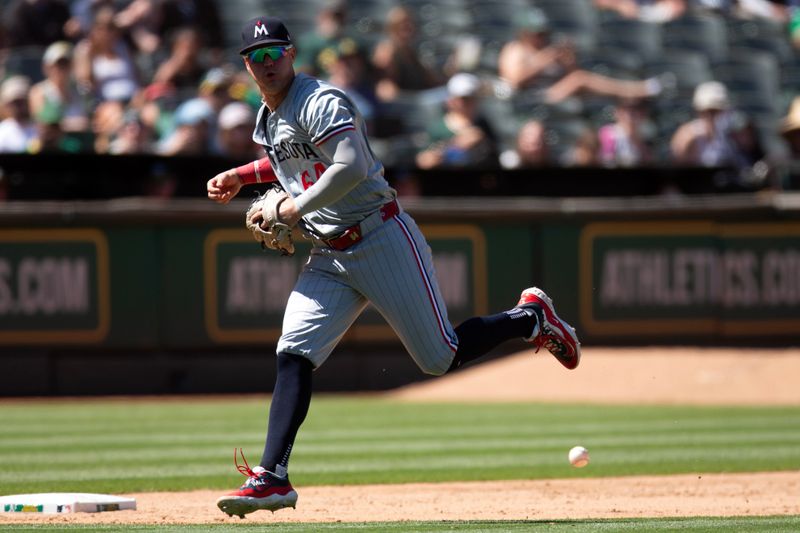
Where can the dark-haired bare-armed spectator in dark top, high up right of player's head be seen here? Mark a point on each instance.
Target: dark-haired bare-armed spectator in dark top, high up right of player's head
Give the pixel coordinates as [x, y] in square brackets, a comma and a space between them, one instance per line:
[397, 61]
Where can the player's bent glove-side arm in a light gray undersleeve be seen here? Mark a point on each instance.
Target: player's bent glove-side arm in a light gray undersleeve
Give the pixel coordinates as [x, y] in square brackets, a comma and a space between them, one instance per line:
[349, 166]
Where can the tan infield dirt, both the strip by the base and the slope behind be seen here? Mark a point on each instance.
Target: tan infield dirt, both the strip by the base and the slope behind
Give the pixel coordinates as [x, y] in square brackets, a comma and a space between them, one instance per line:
[606, 375]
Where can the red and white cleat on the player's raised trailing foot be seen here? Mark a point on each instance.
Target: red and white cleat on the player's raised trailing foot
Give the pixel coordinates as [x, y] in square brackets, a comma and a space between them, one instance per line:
[553, 333]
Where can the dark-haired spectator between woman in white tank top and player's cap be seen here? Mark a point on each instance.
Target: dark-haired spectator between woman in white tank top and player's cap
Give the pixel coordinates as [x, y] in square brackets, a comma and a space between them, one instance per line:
[182, 69]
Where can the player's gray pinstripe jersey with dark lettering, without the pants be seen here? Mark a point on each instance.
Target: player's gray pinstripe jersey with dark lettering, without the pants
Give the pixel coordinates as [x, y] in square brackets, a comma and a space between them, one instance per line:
[313, 112]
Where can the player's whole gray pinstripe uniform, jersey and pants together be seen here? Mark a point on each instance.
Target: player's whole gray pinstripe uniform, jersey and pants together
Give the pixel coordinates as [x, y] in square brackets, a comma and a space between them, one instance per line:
[391, 267]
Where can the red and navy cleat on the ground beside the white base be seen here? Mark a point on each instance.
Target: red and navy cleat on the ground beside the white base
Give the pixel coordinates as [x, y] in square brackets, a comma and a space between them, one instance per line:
[262, 490]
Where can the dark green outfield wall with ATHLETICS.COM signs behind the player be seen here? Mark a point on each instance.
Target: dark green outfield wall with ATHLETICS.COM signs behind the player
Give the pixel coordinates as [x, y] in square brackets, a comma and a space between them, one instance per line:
[108, 285]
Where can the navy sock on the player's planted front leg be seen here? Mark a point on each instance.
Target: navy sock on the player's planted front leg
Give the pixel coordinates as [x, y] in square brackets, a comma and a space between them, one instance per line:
[288, 409]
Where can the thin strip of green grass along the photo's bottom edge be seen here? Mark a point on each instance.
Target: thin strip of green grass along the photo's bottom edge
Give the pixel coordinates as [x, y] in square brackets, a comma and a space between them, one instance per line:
[683, 525]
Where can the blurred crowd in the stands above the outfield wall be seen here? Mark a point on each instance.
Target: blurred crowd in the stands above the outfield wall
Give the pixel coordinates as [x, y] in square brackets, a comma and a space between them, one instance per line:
[442, 83]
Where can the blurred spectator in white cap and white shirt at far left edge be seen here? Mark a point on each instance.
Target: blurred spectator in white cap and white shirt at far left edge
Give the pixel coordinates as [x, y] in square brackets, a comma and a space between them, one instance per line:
[17, 130]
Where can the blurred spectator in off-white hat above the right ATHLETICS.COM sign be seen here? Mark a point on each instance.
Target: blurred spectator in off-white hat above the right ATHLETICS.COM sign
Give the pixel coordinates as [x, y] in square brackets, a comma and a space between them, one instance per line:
[718, 137]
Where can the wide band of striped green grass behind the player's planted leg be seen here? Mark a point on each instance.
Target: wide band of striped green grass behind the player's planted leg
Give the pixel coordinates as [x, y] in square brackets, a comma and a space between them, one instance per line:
[118, 446]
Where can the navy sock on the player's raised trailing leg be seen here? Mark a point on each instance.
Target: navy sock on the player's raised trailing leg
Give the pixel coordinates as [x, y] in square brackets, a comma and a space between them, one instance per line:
[478, 335]
